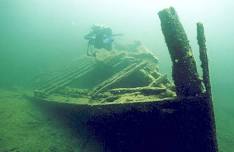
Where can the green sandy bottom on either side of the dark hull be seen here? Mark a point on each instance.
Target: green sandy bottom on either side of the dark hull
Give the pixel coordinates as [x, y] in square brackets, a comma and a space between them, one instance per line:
[25, 128]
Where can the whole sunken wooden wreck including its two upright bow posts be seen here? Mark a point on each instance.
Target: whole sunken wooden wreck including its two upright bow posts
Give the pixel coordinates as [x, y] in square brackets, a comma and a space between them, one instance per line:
[125, 104]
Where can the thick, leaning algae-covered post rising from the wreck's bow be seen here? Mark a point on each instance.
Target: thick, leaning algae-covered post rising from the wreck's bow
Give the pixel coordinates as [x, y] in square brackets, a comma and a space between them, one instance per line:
[184, 71]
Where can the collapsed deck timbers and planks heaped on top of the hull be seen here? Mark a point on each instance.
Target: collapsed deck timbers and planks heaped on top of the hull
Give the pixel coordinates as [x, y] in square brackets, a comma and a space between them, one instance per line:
[119, 77]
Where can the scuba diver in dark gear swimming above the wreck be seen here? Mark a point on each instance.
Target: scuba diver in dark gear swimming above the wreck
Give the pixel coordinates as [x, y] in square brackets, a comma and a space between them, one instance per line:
[100, 37]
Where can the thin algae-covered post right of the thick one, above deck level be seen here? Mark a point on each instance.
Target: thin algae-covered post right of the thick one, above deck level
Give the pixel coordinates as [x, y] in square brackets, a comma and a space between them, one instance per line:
[203, 57]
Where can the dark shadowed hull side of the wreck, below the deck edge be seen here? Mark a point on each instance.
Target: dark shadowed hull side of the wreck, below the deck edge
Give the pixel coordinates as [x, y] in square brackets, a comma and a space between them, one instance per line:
[180, 125]
